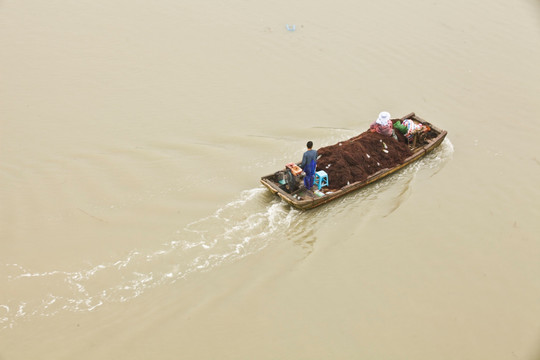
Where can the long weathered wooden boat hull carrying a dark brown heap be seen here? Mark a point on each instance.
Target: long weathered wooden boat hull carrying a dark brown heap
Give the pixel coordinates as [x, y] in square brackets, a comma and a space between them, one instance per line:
[301, 198]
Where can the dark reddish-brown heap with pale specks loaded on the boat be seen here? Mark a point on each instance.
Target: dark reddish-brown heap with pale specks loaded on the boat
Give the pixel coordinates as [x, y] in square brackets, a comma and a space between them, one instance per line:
[359, 157]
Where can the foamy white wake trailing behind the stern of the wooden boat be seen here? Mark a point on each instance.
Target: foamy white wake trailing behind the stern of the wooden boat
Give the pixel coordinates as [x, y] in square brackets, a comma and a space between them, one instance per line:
[239, 229]
